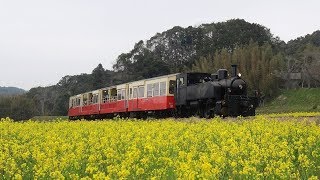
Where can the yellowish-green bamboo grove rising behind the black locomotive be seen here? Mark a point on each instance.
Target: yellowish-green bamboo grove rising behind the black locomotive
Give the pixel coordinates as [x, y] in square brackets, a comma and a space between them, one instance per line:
[259, 65]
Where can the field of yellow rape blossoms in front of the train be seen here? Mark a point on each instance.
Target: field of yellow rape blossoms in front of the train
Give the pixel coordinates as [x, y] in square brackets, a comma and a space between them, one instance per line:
[262, 147]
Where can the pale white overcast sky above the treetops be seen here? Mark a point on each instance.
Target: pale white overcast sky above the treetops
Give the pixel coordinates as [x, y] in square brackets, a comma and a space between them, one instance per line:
[43, 40]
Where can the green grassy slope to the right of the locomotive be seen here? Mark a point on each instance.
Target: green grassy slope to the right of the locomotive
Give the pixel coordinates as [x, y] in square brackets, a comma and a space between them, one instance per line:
[299, 100]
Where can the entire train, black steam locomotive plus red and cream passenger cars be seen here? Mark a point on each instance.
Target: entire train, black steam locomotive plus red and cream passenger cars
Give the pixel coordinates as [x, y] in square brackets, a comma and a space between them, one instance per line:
[178, 95]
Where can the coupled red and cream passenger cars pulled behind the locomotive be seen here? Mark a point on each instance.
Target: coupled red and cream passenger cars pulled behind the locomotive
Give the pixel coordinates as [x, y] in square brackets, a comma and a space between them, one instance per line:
[134, 99]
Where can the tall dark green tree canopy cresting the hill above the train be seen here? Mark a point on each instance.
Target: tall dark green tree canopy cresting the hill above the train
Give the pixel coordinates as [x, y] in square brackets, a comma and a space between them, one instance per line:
[178, 48]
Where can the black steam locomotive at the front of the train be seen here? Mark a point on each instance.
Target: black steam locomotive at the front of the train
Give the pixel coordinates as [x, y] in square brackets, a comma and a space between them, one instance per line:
[206, 94]
